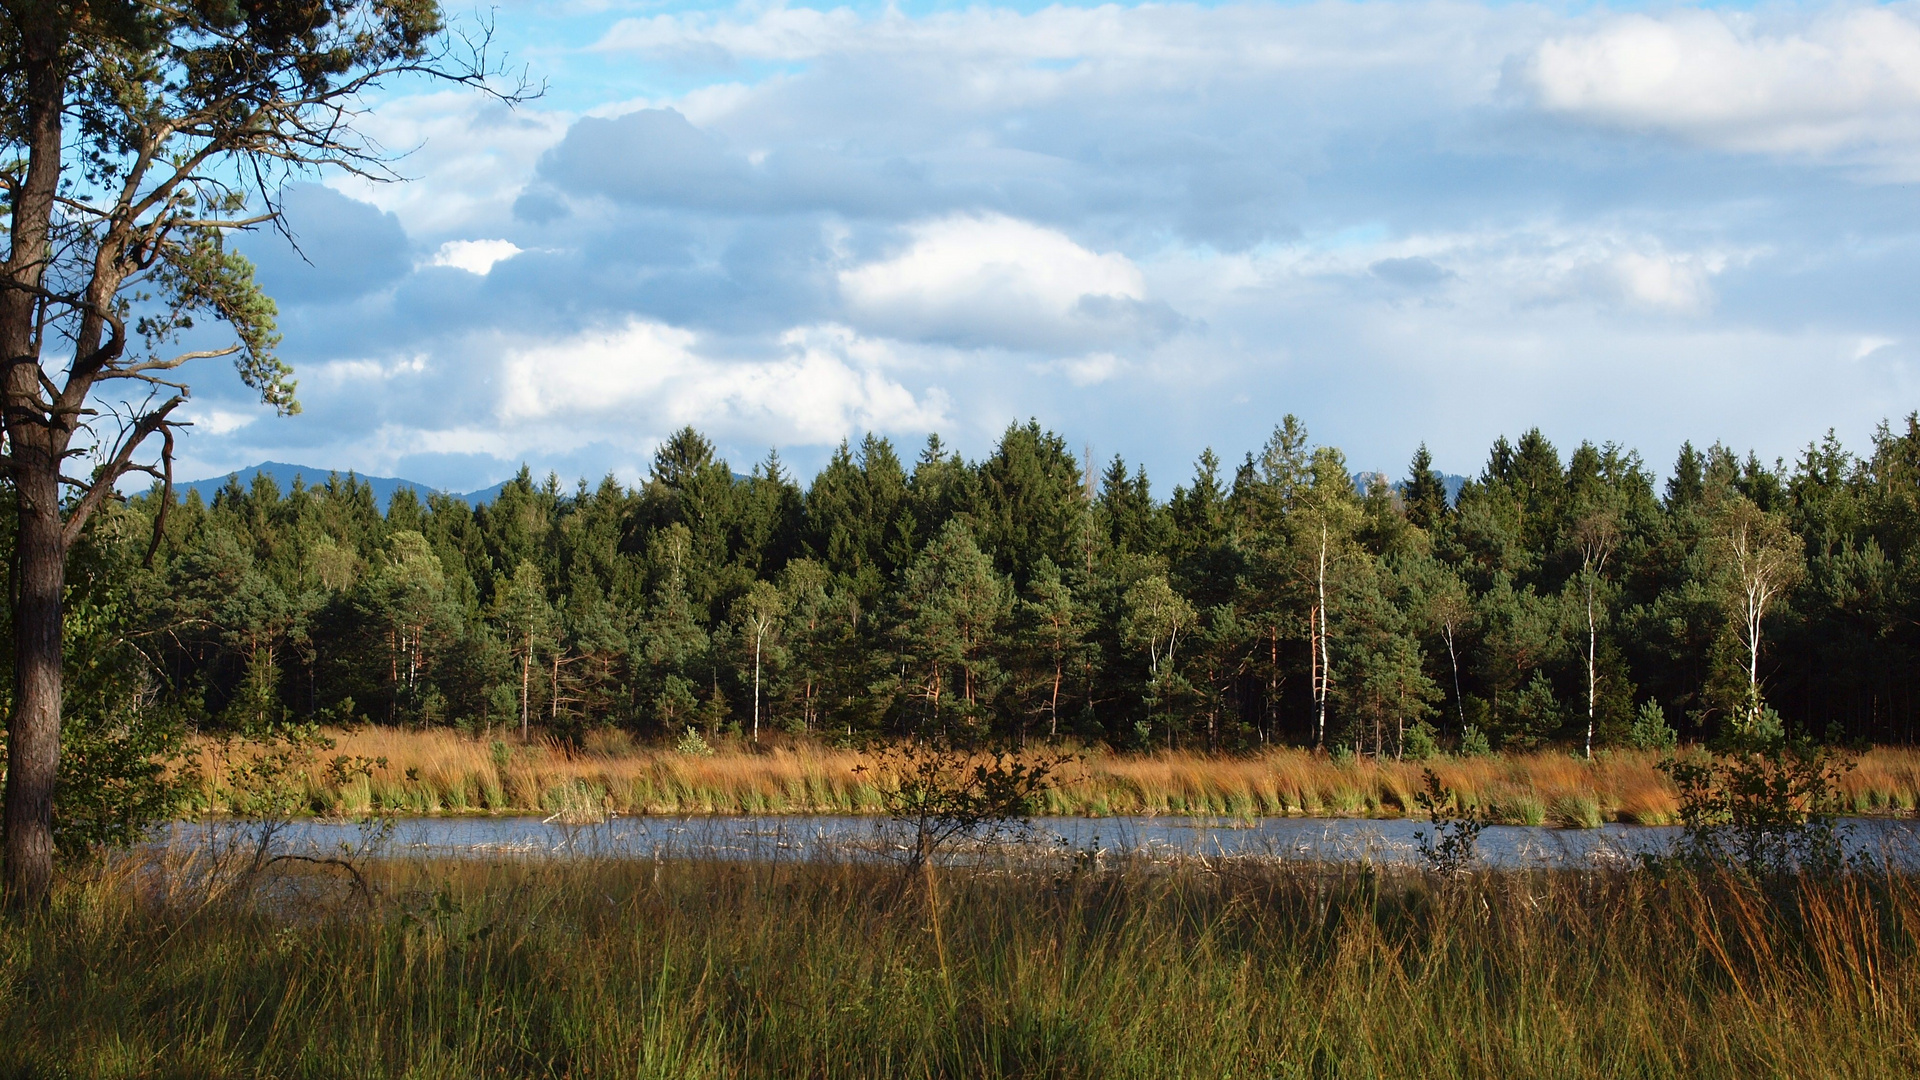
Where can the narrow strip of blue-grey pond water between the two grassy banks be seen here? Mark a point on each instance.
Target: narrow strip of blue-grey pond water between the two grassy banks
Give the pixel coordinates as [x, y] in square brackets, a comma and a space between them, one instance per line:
[780, 837]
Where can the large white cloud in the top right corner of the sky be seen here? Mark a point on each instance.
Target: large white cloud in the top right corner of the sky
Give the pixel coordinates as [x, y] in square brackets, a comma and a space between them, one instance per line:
[1842, 80]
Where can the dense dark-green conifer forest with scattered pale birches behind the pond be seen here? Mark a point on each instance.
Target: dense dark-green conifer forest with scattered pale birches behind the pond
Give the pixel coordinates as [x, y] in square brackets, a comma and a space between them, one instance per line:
[1556, 601]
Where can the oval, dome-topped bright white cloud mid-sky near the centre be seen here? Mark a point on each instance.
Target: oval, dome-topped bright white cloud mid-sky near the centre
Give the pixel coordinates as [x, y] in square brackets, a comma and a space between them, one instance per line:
[994, 282]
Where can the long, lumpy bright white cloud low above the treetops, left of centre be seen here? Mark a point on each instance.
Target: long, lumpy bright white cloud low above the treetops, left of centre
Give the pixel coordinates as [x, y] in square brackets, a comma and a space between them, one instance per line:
[823, 385]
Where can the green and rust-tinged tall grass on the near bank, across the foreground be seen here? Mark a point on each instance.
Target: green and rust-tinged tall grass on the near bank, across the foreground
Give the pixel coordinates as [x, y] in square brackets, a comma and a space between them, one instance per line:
[1207, 970]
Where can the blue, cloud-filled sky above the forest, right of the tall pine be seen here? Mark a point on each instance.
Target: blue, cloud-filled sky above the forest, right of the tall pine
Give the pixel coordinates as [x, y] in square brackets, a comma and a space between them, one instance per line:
[1151, 228]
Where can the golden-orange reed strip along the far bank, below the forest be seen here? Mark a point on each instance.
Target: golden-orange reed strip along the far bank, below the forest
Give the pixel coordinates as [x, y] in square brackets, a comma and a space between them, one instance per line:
[448, 773]
